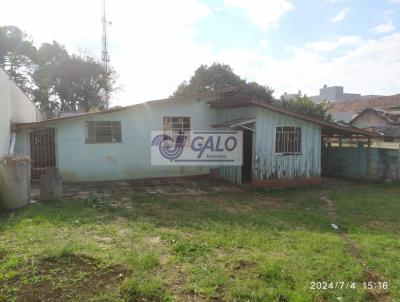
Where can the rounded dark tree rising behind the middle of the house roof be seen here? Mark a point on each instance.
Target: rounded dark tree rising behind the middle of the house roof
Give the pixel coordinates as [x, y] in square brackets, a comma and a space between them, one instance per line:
[219, 76]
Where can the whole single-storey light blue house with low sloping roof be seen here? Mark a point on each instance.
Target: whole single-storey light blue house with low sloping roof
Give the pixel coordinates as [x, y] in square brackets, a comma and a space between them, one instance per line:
[280, 146]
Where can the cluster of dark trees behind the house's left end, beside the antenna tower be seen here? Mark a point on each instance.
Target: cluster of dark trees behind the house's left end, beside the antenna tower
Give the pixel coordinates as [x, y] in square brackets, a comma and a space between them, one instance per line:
[53, 78]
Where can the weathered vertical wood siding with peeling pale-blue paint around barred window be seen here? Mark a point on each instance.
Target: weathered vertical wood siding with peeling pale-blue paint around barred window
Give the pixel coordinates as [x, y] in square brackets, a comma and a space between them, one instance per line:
[270, 166]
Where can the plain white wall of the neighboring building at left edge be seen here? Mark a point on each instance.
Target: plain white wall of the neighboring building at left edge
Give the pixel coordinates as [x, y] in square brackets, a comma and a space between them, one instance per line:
[16, 107]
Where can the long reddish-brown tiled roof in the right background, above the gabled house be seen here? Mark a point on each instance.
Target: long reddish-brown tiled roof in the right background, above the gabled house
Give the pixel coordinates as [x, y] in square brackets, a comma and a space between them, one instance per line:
[346, 110]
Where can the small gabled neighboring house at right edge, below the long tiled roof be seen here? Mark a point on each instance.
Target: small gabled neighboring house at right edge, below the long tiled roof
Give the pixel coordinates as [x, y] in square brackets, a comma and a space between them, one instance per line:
[384, 123]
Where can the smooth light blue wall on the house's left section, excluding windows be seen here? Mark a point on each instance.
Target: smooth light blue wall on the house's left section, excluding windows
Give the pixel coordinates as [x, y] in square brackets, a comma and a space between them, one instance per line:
[130, 159]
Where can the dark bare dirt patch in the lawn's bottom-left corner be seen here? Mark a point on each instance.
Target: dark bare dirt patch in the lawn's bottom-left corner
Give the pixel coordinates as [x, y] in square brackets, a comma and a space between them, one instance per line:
[69, 278]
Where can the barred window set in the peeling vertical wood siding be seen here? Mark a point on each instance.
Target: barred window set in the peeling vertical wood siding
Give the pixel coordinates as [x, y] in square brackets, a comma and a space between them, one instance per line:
[288, 140]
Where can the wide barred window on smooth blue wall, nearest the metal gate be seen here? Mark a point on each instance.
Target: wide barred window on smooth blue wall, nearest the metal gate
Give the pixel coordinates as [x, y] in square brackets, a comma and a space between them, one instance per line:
[103, 132]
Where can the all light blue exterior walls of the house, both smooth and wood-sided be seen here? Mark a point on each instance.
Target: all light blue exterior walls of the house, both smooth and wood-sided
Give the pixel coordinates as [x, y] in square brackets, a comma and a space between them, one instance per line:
[130, 159]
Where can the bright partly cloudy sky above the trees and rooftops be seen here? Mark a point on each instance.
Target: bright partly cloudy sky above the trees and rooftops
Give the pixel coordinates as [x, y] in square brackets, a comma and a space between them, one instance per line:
[288, 45]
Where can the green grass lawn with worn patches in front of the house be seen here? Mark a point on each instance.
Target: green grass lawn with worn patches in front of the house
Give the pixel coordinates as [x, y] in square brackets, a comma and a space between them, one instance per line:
[232, 245]
